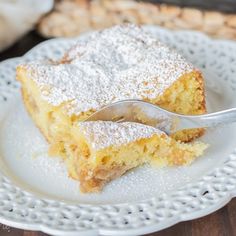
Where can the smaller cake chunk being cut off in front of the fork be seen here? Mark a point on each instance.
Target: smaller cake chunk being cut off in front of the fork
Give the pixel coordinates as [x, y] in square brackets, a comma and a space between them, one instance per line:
[100, 151]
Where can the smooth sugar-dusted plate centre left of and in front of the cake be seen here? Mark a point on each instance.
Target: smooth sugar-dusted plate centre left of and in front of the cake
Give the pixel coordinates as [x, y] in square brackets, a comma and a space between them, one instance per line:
[48, 175]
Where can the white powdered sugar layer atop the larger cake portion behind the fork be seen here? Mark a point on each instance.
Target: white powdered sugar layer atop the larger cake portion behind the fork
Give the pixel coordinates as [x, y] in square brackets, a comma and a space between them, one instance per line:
[122, 62]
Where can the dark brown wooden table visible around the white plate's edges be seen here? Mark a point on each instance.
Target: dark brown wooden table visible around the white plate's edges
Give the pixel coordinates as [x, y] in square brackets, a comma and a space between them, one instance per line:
[220, 223]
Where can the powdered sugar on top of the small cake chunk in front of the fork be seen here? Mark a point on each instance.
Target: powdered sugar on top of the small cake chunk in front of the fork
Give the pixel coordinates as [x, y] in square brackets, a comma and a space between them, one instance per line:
[102, 134]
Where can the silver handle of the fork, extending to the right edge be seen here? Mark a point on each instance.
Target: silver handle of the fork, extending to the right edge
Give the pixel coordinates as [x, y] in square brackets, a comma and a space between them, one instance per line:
[209, 120]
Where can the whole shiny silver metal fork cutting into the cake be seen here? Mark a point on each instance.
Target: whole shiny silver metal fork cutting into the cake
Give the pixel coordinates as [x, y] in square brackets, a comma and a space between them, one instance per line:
[134, 110]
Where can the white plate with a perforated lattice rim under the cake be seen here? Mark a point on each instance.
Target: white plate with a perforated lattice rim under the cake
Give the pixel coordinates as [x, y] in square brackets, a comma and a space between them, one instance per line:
[35, 192]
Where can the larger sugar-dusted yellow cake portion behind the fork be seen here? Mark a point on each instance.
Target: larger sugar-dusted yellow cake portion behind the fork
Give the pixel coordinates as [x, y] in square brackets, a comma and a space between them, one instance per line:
[119, 63]
